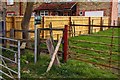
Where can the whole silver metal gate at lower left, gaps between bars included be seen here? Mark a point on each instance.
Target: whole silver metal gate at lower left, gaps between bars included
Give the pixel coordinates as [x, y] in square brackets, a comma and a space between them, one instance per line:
[9, 57]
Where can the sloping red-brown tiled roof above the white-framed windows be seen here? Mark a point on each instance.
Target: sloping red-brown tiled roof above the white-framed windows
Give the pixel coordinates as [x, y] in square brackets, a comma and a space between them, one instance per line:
[55, 5]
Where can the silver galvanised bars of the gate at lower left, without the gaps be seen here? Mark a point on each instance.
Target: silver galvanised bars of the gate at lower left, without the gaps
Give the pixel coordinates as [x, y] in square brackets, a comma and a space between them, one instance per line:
[16, 61]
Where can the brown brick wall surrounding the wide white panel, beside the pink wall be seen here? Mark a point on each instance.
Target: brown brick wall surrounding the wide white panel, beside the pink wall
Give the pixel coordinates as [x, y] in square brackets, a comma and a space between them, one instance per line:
[93, 6]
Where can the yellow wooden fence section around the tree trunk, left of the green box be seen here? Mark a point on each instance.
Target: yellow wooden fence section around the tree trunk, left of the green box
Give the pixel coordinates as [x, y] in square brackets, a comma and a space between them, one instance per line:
[15, 23]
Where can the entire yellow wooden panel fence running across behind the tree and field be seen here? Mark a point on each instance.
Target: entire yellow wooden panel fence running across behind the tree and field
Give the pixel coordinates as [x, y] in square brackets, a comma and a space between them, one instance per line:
[57, 22]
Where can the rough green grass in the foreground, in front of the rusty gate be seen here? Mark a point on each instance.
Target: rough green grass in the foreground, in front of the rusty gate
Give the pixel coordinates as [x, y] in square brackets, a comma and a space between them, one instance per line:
[71, 69]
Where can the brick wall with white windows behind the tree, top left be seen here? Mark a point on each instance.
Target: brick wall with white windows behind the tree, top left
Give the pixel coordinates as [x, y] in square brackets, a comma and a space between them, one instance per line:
[16, 8]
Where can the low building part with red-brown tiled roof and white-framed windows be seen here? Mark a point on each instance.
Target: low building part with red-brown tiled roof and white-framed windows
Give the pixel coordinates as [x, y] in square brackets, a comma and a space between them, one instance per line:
[56, 9]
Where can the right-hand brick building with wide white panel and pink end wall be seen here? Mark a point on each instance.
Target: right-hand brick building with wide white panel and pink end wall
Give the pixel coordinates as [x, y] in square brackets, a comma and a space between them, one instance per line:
[99, 9]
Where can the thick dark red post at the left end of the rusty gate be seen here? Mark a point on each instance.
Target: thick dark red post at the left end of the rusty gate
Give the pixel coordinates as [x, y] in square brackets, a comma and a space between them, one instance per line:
[65, 46]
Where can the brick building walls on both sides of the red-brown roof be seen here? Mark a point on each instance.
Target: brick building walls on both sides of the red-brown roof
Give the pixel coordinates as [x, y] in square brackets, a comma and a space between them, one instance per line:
[80, 9]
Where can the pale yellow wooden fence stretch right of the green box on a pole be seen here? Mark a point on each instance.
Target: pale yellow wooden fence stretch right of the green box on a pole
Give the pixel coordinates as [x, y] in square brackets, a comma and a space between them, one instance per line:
[60, 21]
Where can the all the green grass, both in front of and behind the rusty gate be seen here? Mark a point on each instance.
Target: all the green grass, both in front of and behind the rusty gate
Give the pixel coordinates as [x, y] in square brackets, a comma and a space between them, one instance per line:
[73, 68]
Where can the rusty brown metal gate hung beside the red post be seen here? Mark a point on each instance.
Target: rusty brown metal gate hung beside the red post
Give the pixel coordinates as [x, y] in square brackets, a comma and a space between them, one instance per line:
[97, 49]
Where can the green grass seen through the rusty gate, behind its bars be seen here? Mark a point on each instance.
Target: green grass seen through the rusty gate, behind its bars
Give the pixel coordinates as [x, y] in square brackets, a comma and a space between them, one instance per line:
[105, 56]
